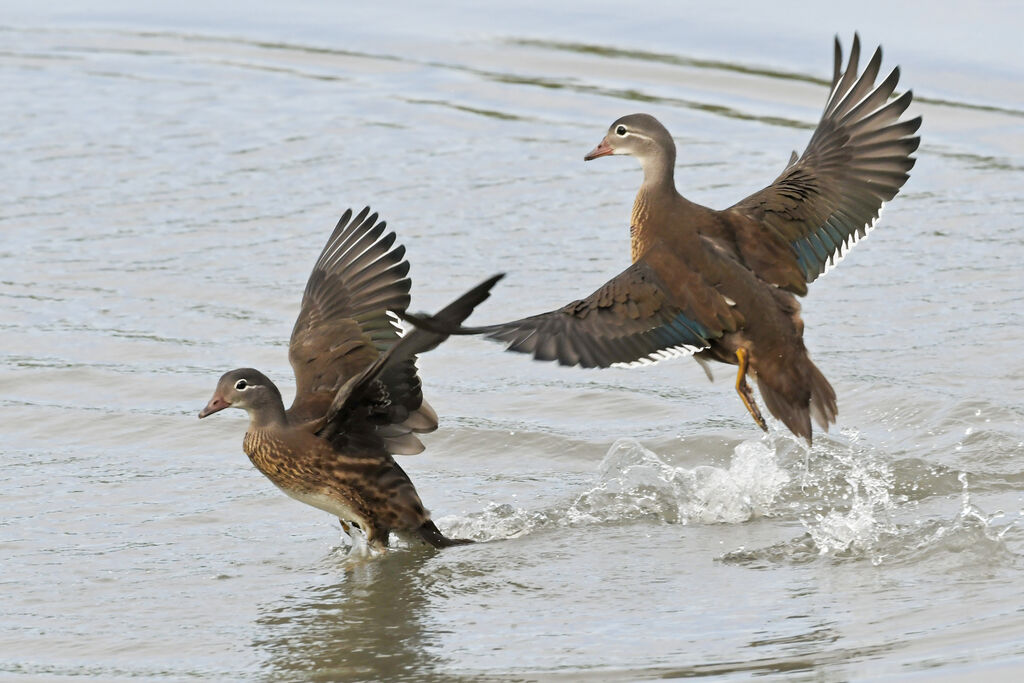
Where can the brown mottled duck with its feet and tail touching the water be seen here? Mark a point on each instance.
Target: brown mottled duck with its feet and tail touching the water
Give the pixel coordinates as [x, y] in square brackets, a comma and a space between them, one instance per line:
[358, 399]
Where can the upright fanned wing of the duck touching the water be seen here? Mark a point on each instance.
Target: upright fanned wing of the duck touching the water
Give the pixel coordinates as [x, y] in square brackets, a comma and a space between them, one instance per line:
[345, 325]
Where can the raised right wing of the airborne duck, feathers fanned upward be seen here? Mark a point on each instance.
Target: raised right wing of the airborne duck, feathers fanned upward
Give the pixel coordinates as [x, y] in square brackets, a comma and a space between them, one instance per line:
[858, 160]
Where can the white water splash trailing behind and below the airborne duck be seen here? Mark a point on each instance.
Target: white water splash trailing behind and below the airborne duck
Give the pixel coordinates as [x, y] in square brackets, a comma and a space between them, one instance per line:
[844, 493]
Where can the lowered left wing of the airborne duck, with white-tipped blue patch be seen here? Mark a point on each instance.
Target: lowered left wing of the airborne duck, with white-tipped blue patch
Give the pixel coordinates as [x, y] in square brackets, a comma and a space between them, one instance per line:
[631, 320]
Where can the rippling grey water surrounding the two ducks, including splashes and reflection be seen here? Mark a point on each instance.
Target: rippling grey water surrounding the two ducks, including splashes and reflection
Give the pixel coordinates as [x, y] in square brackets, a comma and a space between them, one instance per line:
[168, 179]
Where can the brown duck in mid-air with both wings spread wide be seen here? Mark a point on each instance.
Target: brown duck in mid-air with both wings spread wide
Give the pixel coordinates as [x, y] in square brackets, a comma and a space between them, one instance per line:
[721, 284]
